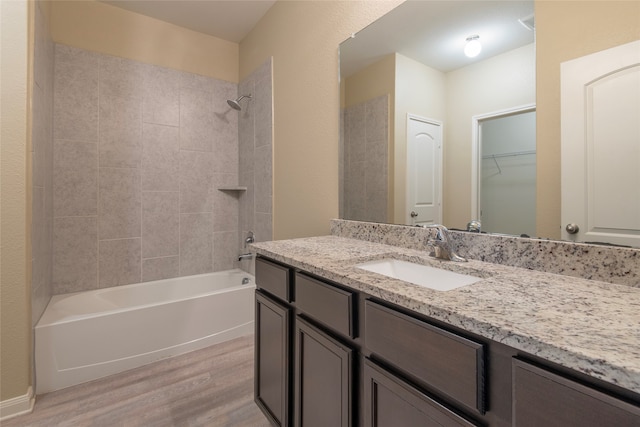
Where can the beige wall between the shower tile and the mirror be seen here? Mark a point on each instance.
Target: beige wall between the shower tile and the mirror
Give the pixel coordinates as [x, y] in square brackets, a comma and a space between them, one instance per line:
[303, 39]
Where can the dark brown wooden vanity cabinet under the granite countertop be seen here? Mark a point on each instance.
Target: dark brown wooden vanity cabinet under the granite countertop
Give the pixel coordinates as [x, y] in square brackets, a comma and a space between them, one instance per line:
[329, 355]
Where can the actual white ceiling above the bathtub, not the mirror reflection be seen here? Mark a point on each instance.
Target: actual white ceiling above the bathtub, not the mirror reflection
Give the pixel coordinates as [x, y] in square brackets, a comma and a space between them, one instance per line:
[228, 20]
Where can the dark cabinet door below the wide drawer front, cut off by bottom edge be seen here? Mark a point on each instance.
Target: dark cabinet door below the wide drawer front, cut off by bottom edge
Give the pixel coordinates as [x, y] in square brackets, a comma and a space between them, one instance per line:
[390, 402]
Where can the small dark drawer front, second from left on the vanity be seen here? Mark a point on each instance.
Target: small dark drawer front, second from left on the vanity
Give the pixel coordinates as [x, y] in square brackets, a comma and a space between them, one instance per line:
[325, 303]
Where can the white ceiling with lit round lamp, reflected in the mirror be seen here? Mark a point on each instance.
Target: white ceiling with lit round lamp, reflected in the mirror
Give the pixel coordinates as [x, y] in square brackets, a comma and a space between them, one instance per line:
[434, 33]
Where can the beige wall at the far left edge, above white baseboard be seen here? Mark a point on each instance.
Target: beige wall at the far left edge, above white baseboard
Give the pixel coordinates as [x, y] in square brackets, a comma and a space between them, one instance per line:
[15, 187]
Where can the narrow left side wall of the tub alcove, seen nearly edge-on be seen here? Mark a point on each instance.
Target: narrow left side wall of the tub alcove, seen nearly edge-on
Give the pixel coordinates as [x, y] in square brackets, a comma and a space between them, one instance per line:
[42, 167]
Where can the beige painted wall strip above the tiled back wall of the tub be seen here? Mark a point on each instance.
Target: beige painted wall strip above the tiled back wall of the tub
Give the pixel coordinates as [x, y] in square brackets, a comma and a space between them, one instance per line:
[107, 29]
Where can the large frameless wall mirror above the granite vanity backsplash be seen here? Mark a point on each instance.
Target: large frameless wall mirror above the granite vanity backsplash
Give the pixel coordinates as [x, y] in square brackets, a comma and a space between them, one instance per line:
[431, 135]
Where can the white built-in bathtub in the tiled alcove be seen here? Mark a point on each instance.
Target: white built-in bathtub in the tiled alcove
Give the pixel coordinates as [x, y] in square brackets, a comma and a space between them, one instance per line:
[87, 335]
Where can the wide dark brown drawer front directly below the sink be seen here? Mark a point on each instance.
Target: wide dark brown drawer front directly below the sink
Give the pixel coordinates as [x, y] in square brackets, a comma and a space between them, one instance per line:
[443, 361]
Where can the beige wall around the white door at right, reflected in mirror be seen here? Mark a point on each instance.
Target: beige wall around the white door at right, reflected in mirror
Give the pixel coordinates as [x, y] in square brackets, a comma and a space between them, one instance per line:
[568, 30]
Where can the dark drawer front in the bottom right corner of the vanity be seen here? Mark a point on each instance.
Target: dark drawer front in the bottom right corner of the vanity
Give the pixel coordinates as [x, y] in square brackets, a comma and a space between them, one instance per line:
[543, 398]
